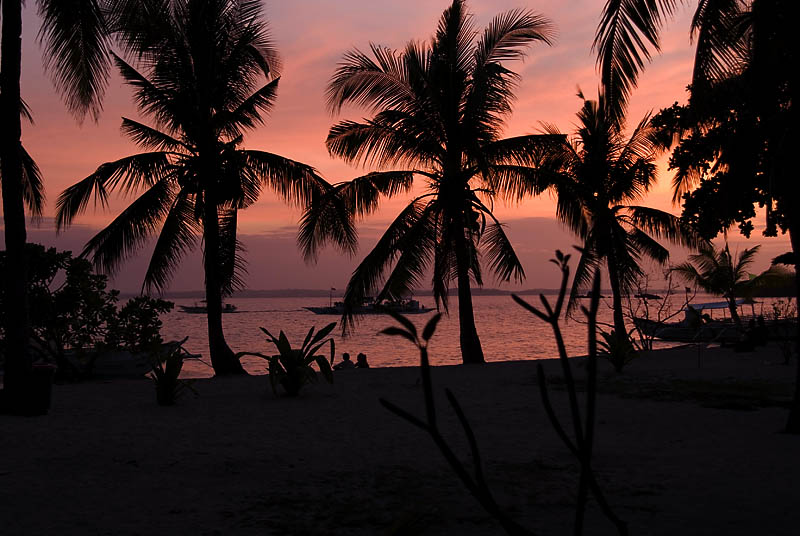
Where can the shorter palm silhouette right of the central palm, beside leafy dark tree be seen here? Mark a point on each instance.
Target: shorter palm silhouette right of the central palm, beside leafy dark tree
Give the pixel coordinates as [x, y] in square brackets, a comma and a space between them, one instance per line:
[597, 176]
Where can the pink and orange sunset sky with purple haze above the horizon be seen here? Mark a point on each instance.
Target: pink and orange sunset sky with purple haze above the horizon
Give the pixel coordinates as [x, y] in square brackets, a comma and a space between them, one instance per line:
[312, 36]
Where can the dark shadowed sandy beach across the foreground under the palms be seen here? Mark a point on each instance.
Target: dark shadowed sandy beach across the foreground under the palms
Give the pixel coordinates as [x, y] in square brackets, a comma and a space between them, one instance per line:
[680, 449]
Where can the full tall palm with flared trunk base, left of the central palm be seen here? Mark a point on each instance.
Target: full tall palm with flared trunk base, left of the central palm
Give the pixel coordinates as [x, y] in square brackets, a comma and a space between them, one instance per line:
[207, 76]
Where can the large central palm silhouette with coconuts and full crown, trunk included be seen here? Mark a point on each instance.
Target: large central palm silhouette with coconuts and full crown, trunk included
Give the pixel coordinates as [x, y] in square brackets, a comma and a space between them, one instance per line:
[438, 110]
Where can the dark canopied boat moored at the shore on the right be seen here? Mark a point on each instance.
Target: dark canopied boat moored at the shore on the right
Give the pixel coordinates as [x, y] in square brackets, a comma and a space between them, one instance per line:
[698, 326]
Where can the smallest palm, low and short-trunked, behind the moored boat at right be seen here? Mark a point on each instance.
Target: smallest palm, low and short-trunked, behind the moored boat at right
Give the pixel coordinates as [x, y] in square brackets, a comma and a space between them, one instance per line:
[719, 272]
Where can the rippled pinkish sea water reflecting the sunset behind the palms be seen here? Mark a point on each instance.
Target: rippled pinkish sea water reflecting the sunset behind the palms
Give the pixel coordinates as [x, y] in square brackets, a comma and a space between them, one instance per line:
[507, 332]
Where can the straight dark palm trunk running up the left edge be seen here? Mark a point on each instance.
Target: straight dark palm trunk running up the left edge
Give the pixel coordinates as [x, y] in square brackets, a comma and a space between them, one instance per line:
[17, 359]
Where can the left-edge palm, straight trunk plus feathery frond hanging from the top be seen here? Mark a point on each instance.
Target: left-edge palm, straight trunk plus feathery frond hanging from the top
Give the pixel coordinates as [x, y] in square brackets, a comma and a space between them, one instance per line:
[76, 53]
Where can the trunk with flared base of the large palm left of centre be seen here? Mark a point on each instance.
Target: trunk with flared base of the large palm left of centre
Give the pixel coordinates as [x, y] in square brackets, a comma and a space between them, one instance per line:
[223, 359]
